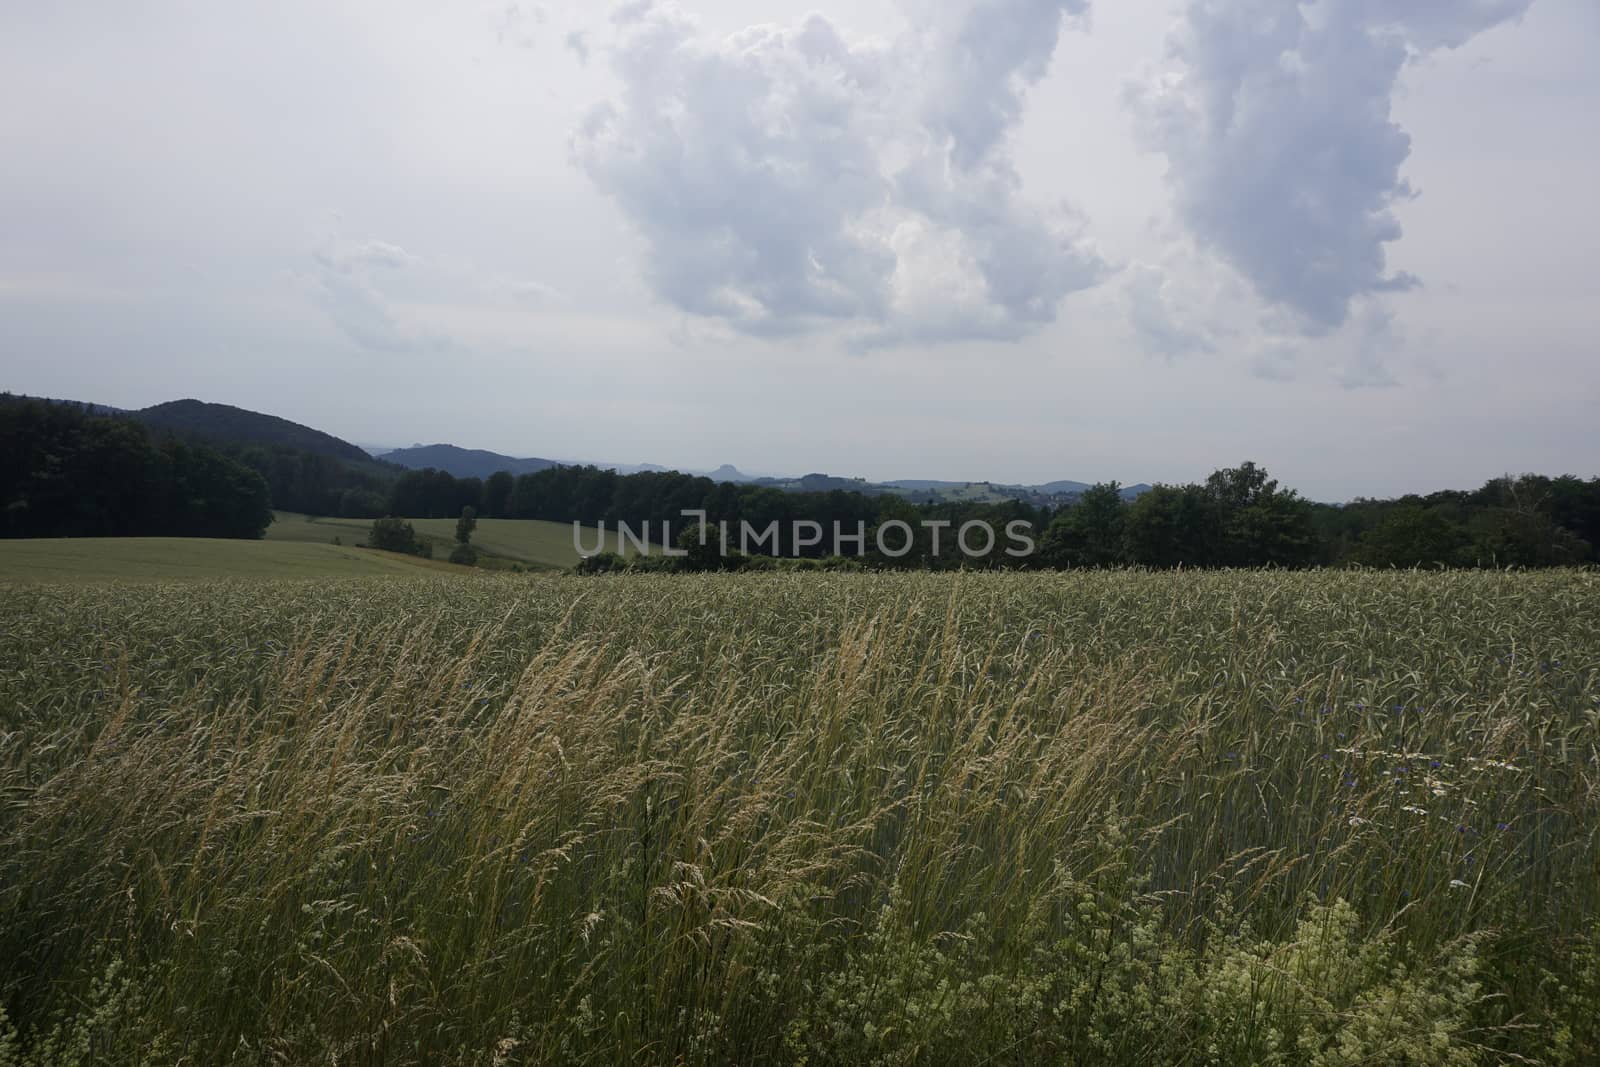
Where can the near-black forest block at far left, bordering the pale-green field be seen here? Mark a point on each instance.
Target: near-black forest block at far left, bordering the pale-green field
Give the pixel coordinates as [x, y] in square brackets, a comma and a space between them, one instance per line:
[73, 474]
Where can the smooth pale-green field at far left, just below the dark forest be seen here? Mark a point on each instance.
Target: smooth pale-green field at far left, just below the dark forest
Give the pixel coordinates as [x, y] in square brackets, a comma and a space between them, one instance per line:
[145, 559]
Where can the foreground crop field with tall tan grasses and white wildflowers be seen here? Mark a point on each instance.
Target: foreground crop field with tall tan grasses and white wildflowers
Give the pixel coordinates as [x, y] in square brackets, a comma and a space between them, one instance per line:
[1087, 818]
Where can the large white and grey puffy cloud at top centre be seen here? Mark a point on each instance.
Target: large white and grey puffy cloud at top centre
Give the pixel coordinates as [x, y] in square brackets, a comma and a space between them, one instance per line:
[791, 180]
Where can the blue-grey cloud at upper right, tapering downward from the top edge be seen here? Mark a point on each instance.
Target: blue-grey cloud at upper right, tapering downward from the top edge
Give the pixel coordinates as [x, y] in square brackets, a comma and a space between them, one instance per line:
[1284, 154]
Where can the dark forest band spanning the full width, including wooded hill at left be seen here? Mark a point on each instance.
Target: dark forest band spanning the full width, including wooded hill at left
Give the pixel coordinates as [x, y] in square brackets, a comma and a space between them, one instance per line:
[215, 471]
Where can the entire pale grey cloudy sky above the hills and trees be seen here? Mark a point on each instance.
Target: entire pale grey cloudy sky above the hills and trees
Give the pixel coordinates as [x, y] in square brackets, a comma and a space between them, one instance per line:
[1010, 241]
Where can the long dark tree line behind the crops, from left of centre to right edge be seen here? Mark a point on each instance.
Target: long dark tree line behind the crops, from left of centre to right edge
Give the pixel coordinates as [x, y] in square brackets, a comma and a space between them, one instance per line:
[1238, 518]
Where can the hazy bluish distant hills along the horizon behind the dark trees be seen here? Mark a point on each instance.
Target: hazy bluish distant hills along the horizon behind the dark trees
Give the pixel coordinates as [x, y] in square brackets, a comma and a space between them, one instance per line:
[226, 423]
